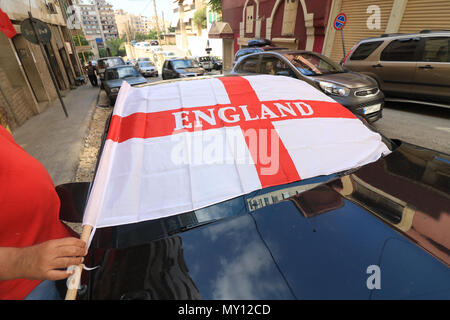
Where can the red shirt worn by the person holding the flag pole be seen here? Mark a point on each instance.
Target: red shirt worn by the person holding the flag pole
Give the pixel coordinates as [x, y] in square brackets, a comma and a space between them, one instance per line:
[29, 208]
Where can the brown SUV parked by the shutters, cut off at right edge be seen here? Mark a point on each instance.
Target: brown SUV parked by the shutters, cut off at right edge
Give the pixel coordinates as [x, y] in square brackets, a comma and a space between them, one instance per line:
[408, 67]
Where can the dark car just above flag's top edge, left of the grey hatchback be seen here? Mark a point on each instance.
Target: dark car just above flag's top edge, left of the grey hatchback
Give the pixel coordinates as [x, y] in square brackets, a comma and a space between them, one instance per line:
[181, 68]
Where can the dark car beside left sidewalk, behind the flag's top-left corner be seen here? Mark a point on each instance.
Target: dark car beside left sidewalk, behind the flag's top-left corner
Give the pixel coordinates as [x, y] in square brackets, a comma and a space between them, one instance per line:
[114, 76]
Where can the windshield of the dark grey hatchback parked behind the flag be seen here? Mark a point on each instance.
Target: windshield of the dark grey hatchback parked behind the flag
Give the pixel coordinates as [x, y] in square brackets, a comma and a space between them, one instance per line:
[310, 64]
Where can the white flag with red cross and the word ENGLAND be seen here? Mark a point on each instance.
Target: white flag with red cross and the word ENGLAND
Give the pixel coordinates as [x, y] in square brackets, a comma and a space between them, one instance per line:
[180, 146]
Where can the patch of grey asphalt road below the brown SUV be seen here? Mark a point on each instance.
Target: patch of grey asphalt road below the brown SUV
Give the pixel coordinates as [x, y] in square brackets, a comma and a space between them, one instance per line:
[421, 125]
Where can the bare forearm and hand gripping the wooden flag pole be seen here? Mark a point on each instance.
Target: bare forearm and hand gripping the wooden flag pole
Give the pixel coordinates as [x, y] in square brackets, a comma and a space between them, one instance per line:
[42, 261]
